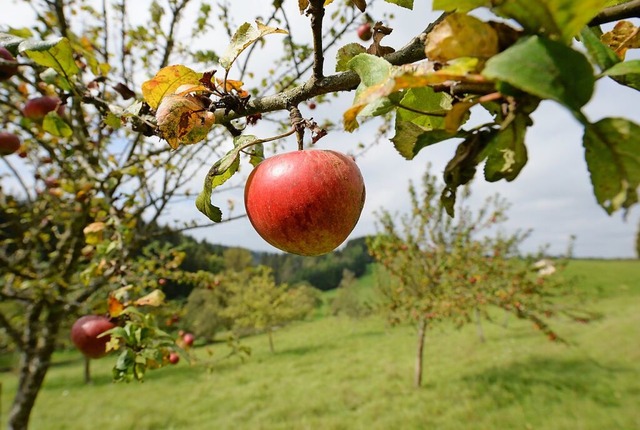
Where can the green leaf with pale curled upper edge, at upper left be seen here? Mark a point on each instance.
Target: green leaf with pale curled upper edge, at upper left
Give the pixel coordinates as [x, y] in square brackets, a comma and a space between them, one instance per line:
[56, 53]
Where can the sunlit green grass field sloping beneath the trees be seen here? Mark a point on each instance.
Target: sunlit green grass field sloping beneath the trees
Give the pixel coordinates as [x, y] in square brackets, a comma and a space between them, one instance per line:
[336, 373]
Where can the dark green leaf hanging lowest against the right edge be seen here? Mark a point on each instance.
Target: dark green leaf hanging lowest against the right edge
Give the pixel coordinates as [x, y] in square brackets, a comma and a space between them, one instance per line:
[612, 152]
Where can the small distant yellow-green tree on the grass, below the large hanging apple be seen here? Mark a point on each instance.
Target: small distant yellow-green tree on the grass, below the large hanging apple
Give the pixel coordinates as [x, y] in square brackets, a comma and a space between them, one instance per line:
[257, 304]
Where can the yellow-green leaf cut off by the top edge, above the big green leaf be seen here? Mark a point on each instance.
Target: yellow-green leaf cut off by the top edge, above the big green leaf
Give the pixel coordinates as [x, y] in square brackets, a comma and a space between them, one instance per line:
[560, 20]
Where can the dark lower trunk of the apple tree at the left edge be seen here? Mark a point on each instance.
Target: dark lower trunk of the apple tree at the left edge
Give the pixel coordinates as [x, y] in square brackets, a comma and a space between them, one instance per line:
[35, 361]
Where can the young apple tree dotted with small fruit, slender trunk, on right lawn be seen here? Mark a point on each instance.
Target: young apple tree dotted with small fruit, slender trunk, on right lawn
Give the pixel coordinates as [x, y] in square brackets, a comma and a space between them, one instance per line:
[455, 269]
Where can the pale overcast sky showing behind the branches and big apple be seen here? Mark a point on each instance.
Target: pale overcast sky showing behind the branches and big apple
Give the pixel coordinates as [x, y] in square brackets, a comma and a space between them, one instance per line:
[552, 195]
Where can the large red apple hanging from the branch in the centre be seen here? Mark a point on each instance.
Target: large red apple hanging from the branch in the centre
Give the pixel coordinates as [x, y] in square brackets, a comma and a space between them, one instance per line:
[305, 202]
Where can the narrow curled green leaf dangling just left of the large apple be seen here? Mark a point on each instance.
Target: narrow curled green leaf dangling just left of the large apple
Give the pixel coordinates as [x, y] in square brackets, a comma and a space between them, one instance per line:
[219, 173]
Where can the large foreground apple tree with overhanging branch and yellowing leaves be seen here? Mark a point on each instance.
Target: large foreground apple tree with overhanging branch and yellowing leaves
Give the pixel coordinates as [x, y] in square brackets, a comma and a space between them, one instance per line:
[84, 96]
